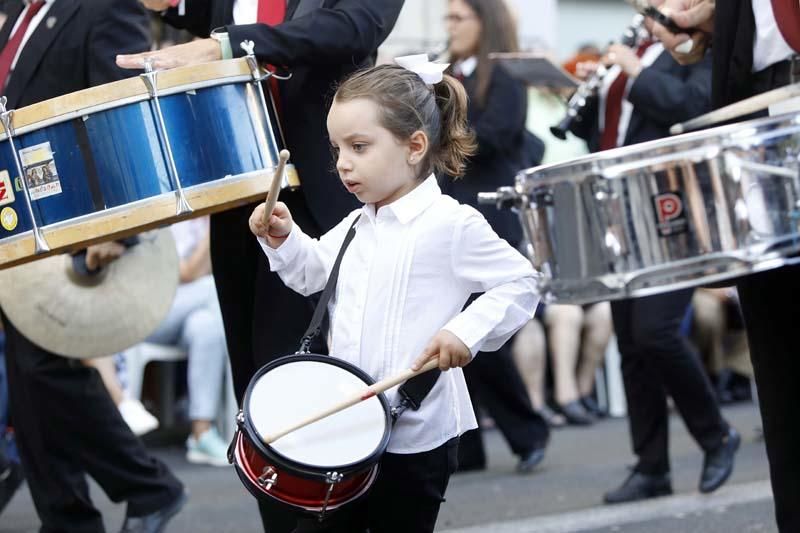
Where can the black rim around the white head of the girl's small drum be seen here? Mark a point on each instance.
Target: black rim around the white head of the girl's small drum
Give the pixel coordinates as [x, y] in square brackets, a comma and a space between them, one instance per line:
[304, 469]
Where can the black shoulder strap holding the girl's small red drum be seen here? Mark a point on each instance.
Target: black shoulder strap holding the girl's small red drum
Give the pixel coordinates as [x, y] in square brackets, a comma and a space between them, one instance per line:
[412, 391]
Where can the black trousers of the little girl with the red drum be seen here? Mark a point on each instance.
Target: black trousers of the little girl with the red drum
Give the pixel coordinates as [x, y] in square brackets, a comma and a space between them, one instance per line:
[405, 497]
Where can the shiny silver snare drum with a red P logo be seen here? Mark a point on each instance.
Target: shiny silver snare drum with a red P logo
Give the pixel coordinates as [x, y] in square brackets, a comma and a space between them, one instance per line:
[663, 215]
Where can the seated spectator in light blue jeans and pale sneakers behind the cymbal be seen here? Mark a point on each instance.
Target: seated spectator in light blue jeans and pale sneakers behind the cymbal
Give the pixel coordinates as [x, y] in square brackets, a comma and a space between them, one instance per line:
[195, 323]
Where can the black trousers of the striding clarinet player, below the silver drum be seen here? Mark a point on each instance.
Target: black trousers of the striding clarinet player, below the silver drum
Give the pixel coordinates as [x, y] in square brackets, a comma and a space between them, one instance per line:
[656, 361]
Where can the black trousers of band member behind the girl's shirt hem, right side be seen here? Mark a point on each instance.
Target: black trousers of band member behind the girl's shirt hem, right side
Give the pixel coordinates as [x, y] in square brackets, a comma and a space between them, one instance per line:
[495, 384]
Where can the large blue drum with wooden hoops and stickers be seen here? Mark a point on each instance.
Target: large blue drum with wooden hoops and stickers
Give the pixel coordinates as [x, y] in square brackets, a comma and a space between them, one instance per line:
[116, 159]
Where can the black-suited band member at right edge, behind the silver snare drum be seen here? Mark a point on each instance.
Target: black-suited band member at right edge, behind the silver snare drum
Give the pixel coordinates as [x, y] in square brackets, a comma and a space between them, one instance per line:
[755, 48]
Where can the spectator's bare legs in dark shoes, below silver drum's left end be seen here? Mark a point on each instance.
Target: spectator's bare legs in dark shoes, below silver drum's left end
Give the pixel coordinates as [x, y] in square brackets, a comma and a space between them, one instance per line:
[578, 337]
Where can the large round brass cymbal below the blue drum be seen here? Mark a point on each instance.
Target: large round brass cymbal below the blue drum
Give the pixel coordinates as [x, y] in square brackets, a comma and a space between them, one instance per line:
[81, 316]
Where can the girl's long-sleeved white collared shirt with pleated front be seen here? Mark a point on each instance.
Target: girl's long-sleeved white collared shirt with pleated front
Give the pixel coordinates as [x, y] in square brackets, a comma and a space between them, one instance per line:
[406, 275]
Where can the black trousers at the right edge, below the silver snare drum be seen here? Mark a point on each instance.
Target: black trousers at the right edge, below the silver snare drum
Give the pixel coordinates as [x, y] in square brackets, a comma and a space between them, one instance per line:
[768, 303]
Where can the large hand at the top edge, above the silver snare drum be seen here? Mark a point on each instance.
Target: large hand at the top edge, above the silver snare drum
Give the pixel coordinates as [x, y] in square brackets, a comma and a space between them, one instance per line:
[695, 15]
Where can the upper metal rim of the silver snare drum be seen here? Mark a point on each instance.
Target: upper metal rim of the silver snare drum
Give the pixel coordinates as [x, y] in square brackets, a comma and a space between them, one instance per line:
[569, 170]
